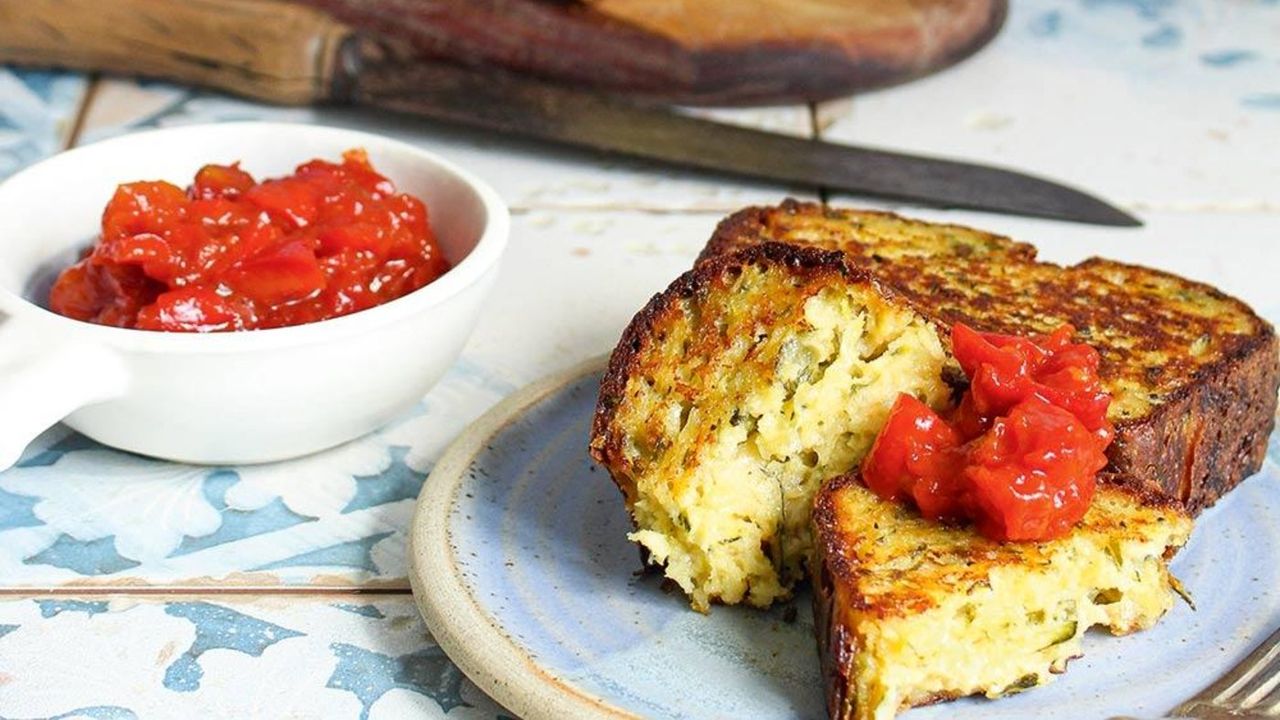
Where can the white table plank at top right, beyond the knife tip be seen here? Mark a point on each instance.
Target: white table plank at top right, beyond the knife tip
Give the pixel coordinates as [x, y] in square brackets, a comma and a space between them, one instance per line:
[1154, 106]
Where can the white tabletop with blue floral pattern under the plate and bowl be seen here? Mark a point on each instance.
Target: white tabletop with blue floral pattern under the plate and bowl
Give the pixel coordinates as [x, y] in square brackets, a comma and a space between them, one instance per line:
[136, 589]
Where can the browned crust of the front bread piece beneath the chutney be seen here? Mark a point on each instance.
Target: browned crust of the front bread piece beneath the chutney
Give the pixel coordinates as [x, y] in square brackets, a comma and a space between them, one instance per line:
[860, 581]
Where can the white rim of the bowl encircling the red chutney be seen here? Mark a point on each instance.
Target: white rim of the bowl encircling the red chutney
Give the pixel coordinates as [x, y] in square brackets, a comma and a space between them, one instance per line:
[483, 257]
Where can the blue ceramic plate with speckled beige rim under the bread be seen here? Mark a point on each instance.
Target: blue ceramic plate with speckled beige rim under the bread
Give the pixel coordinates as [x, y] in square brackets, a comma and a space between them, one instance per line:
[523, 571]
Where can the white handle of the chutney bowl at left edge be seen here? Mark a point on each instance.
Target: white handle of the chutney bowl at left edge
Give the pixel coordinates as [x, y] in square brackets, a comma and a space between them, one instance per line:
[43, 380]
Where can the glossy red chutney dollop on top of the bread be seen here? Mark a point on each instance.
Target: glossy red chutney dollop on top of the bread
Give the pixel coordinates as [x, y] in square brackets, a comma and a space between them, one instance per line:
[1021, 454]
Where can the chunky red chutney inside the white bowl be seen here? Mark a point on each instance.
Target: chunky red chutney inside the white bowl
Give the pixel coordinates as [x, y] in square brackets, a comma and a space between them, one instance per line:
[232, 254]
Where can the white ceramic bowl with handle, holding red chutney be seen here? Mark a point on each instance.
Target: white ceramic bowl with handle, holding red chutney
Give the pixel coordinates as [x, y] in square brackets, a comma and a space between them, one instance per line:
[241, 397]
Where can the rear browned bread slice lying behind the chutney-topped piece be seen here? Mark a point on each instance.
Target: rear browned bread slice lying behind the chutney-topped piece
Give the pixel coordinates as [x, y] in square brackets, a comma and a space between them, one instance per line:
[1194, 372]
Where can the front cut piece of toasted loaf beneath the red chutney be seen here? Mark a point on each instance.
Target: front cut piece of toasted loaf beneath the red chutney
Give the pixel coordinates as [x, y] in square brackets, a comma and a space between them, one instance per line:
[909, 612]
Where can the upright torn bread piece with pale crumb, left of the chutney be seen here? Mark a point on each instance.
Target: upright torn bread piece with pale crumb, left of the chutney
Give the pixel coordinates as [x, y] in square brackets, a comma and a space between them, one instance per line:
[737, 393]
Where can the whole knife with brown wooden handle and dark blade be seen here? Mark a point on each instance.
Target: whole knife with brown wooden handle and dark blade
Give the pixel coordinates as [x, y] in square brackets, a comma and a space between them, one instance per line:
[290, 54]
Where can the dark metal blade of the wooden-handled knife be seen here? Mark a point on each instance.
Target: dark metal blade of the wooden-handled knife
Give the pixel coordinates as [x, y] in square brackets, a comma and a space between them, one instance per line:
[523, 107]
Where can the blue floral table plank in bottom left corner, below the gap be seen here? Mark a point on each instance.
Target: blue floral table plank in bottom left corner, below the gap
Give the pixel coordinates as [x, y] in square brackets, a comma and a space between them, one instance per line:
[217, 659]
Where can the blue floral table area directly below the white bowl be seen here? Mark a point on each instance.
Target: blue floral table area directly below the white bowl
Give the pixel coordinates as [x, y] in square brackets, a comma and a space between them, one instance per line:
[75, 512]
